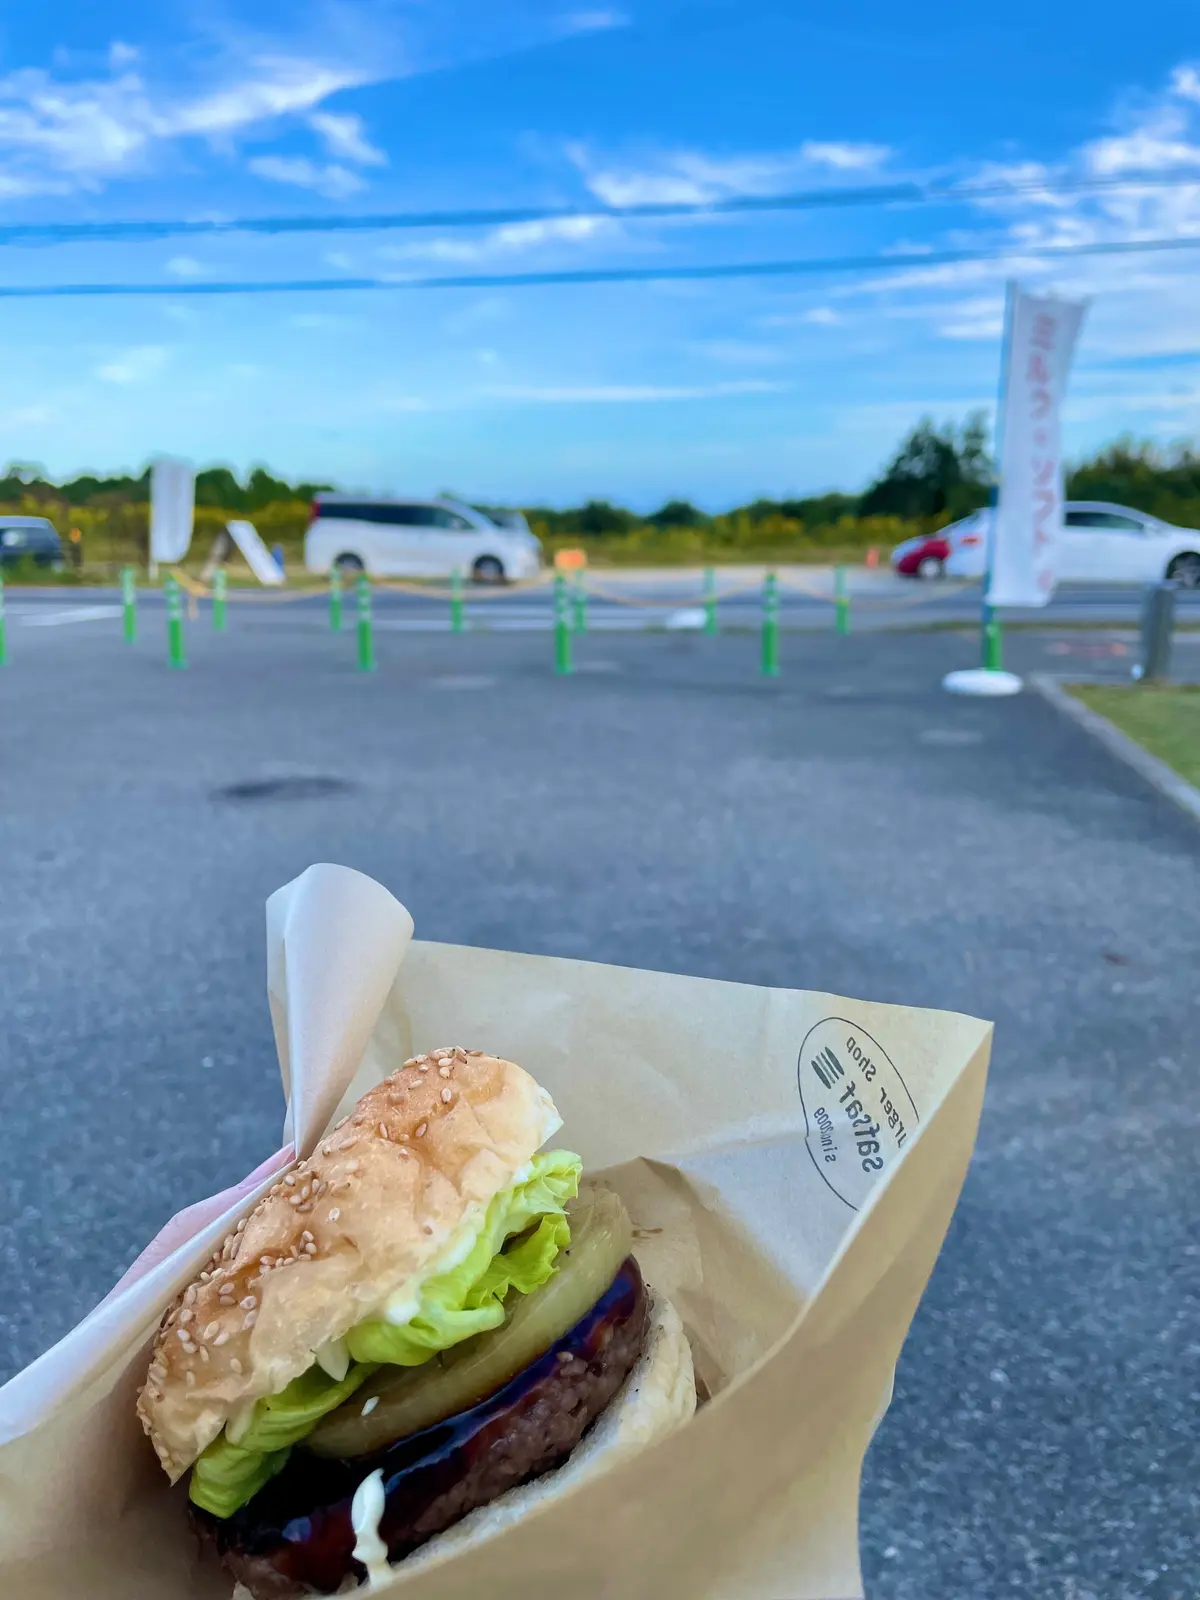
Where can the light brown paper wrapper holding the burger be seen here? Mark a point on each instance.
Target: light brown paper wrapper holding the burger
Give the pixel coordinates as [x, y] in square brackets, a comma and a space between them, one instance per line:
[791, 1162]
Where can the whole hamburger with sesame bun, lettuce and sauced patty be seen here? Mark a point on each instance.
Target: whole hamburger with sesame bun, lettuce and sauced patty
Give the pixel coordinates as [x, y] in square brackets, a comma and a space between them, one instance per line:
[417, 1335]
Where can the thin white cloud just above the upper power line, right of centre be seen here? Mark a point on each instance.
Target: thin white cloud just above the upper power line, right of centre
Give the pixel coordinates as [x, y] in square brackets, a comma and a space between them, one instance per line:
[697, 178]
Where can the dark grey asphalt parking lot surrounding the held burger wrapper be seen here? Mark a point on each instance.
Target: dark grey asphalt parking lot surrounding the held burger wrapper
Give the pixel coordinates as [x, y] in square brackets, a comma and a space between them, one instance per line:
[847, 828]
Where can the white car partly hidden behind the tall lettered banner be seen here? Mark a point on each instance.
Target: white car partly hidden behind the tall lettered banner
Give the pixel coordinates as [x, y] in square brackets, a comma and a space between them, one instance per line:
[1100, 543]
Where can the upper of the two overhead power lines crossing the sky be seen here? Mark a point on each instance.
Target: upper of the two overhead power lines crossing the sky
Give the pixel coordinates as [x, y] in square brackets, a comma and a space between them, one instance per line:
[393, 222]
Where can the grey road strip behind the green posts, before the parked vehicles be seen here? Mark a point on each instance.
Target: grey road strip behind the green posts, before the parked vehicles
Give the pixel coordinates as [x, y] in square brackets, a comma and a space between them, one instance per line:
[631, 599]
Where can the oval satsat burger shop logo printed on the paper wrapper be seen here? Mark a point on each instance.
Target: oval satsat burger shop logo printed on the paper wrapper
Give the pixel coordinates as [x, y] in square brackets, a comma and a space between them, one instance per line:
[858, 1110]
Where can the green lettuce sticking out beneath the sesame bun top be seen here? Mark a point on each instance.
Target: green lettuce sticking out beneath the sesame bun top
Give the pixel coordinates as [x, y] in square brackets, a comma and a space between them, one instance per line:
[516, 1249]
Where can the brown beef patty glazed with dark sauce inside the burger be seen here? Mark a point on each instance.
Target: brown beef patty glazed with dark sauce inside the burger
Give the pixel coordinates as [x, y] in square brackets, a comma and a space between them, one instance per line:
[295, 1537]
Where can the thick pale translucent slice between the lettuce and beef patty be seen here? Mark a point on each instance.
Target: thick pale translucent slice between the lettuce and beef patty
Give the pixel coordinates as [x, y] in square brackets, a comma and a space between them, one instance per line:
[410, 1399]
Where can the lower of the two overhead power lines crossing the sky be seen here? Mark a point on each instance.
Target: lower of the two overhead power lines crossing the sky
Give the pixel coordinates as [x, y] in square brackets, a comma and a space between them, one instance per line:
[582, 276]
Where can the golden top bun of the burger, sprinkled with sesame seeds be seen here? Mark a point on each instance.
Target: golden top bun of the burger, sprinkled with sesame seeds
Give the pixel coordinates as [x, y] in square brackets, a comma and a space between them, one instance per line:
[404, 1177]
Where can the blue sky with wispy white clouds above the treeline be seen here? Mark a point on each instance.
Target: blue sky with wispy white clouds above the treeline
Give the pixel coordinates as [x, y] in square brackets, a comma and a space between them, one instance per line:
[638, 393]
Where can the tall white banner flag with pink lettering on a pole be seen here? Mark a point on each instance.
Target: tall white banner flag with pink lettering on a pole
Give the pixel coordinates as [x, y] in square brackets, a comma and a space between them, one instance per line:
[1028, 521]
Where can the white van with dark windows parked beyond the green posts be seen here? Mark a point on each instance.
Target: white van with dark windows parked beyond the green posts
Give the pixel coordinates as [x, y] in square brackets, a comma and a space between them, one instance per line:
[415, 538]
